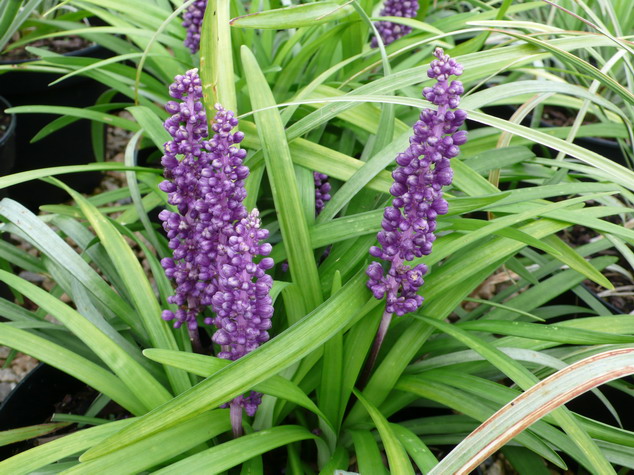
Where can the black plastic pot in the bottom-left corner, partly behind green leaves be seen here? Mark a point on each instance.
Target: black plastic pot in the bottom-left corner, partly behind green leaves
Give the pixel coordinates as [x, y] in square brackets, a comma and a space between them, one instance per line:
[33, 401]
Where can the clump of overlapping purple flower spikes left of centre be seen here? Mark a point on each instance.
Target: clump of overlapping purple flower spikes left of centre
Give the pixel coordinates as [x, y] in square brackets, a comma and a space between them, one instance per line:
[214, 240]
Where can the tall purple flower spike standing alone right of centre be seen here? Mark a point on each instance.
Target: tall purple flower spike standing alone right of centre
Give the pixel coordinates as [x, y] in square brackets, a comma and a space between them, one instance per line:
[424, 168]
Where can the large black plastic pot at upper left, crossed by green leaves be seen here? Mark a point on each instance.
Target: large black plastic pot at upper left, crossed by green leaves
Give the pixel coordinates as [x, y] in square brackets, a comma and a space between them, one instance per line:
[71, 145]
